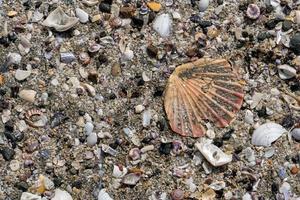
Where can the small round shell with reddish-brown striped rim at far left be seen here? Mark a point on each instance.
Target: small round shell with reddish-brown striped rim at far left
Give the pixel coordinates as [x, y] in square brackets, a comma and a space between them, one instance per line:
[36, 118]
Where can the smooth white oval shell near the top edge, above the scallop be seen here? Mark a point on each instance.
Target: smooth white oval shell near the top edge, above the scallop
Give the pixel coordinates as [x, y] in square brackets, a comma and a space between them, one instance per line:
[163, 25]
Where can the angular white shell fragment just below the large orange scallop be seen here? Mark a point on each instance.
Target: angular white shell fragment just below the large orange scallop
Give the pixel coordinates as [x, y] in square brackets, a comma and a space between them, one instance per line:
[213, 154]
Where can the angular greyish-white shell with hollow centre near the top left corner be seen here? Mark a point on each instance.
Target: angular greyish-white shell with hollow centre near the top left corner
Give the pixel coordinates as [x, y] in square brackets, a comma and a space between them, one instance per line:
[59, 20]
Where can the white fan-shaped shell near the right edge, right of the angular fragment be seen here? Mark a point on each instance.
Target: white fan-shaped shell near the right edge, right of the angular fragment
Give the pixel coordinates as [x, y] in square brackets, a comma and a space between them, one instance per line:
[267, 133]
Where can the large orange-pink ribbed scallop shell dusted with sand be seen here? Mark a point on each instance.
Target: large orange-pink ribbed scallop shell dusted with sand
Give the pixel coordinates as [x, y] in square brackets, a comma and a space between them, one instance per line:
[201, 91]
